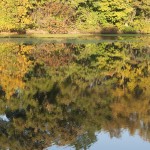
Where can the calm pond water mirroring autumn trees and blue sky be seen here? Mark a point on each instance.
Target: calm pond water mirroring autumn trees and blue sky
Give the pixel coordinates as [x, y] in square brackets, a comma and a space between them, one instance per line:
[87, 93]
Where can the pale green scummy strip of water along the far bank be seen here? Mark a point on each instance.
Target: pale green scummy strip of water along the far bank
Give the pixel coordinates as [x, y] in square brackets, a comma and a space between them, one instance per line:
[83, 39]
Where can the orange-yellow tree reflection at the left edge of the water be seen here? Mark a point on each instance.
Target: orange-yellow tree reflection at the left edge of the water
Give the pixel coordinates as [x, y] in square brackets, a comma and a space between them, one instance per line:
[13, 67]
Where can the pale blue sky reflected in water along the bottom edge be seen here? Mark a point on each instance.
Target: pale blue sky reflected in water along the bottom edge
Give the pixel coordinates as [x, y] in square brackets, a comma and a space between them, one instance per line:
[104, 142]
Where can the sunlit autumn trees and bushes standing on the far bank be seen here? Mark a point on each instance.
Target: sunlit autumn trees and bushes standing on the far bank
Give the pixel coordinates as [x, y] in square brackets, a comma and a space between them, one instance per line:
[75, 16]
